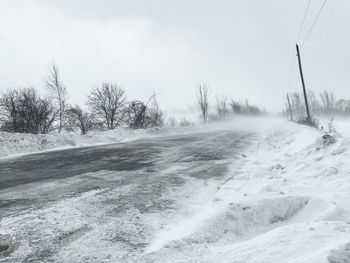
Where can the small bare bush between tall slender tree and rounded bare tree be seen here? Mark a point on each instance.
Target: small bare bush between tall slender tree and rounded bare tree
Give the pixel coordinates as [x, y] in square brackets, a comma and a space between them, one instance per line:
[81, 119]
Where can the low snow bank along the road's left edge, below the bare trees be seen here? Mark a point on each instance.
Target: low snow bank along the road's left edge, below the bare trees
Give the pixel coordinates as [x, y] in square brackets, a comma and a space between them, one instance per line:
[12, 144]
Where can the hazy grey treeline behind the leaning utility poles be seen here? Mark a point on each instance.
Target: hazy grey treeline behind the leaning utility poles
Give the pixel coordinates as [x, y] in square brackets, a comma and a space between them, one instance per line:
[324, 103]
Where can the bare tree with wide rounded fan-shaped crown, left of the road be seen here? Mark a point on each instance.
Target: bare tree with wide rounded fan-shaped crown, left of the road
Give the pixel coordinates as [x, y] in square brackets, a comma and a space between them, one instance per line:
[108, 102]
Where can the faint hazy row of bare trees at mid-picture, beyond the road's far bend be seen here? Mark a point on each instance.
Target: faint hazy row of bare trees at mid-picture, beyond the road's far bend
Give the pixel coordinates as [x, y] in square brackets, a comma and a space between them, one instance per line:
[224, 107]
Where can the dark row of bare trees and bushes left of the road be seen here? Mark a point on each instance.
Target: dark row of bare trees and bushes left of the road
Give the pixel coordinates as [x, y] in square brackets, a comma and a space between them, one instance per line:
[23, 110]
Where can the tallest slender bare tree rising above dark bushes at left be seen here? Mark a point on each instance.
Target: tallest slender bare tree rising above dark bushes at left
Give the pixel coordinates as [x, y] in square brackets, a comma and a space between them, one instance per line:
[58, 91]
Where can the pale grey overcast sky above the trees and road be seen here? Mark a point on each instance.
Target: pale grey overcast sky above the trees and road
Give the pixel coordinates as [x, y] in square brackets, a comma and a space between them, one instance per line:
[242, 49]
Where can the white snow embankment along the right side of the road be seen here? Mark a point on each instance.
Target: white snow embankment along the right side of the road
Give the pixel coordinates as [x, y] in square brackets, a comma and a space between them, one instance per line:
[288, 201]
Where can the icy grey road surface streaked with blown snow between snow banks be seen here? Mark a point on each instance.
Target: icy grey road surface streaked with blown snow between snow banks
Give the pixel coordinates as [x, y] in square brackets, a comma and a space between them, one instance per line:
[111, 203]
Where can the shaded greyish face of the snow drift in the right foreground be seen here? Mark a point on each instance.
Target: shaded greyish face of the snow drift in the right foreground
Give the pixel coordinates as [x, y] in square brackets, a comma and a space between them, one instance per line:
[242, 219]
